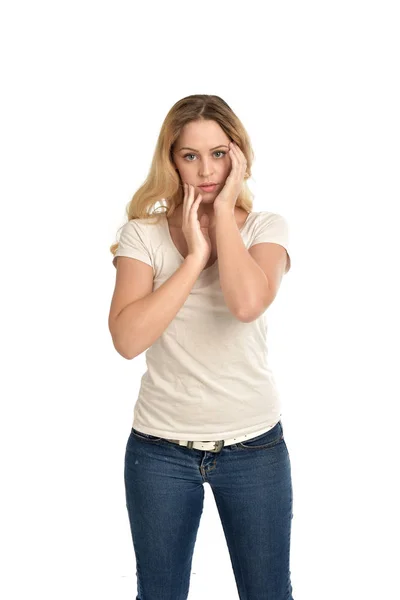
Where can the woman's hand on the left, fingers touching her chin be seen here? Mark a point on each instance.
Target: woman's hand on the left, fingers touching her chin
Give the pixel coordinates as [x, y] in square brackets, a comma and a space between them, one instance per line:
[195, 232]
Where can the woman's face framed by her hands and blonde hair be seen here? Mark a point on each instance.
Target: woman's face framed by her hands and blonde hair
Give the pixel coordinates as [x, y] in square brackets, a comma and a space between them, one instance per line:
[201, 155]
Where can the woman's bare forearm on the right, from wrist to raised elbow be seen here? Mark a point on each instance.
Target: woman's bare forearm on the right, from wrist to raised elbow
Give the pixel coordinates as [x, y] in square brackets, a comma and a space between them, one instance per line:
[242, 281]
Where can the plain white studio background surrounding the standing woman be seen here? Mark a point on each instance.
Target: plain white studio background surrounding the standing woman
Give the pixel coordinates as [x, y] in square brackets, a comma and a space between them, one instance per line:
[85, 89]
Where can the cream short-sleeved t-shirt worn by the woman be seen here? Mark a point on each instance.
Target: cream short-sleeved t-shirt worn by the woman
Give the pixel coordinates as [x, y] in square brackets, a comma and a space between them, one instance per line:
[207, 375]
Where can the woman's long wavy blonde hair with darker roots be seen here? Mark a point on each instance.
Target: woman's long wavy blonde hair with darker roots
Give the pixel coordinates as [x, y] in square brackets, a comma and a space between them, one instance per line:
[163, 181]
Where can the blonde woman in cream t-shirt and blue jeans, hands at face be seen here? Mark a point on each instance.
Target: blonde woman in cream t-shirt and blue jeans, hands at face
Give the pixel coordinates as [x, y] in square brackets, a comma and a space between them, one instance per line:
[192, 286]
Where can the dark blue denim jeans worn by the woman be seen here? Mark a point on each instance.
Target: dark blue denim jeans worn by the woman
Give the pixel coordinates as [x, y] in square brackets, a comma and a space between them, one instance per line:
[252, 486]
